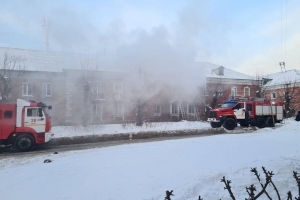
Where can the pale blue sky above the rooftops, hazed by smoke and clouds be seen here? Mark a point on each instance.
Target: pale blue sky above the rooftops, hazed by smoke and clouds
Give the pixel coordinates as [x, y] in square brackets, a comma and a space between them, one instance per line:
[247, 36]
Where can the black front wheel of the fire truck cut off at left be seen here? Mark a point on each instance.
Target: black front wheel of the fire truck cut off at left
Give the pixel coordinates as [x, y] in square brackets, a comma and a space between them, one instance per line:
[24, 142]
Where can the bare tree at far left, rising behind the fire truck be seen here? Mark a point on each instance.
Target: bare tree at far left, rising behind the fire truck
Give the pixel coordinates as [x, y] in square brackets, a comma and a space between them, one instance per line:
[12, 70]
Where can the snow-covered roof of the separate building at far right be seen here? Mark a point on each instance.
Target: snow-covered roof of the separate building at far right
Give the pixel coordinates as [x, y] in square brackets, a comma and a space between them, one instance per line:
[281, 78]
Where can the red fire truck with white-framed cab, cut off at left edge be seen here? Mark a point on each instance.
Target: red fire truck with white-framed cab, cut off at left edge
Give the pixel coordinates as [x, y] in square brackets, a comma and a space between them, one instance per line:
[25, 124]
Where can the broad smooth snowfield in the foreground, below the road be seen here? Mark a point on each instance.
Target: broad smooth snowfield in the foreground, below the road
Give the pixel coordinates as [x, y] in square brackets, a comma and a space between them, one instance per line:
[144, 171]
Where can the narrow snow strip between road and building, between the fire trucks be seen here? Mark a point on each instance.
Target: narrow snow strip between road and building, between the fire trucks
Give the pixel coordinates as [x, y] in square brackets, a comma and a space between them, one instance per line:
[71, 131]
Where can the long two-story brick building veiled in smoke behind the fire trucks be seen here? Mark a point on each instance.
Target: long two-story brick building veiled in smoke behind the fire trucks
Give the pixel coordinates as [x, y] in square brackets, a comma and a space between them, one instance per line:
[81, 94]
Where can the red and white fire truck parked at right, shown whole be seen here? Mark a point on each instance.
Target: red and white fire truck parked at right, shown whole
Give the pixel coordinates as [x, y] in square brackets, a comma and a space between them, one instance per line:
[258, 112]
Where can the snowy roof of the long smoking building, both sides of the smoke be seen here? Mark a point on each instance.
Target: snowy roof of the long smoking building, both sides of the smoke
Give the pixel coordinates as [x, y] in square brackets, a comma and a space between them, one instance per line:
[53, 61]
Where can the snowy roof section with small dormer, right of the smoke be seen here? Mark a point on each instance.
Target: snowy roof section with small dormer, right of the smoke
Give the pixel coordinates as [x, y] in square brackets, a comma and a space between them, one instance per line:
[210, 70]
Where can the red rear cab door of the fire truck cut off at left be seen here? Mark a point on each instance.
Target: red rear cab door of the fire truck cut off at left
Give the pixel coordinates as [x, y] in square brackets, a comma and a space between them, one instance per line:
[7, 121]
